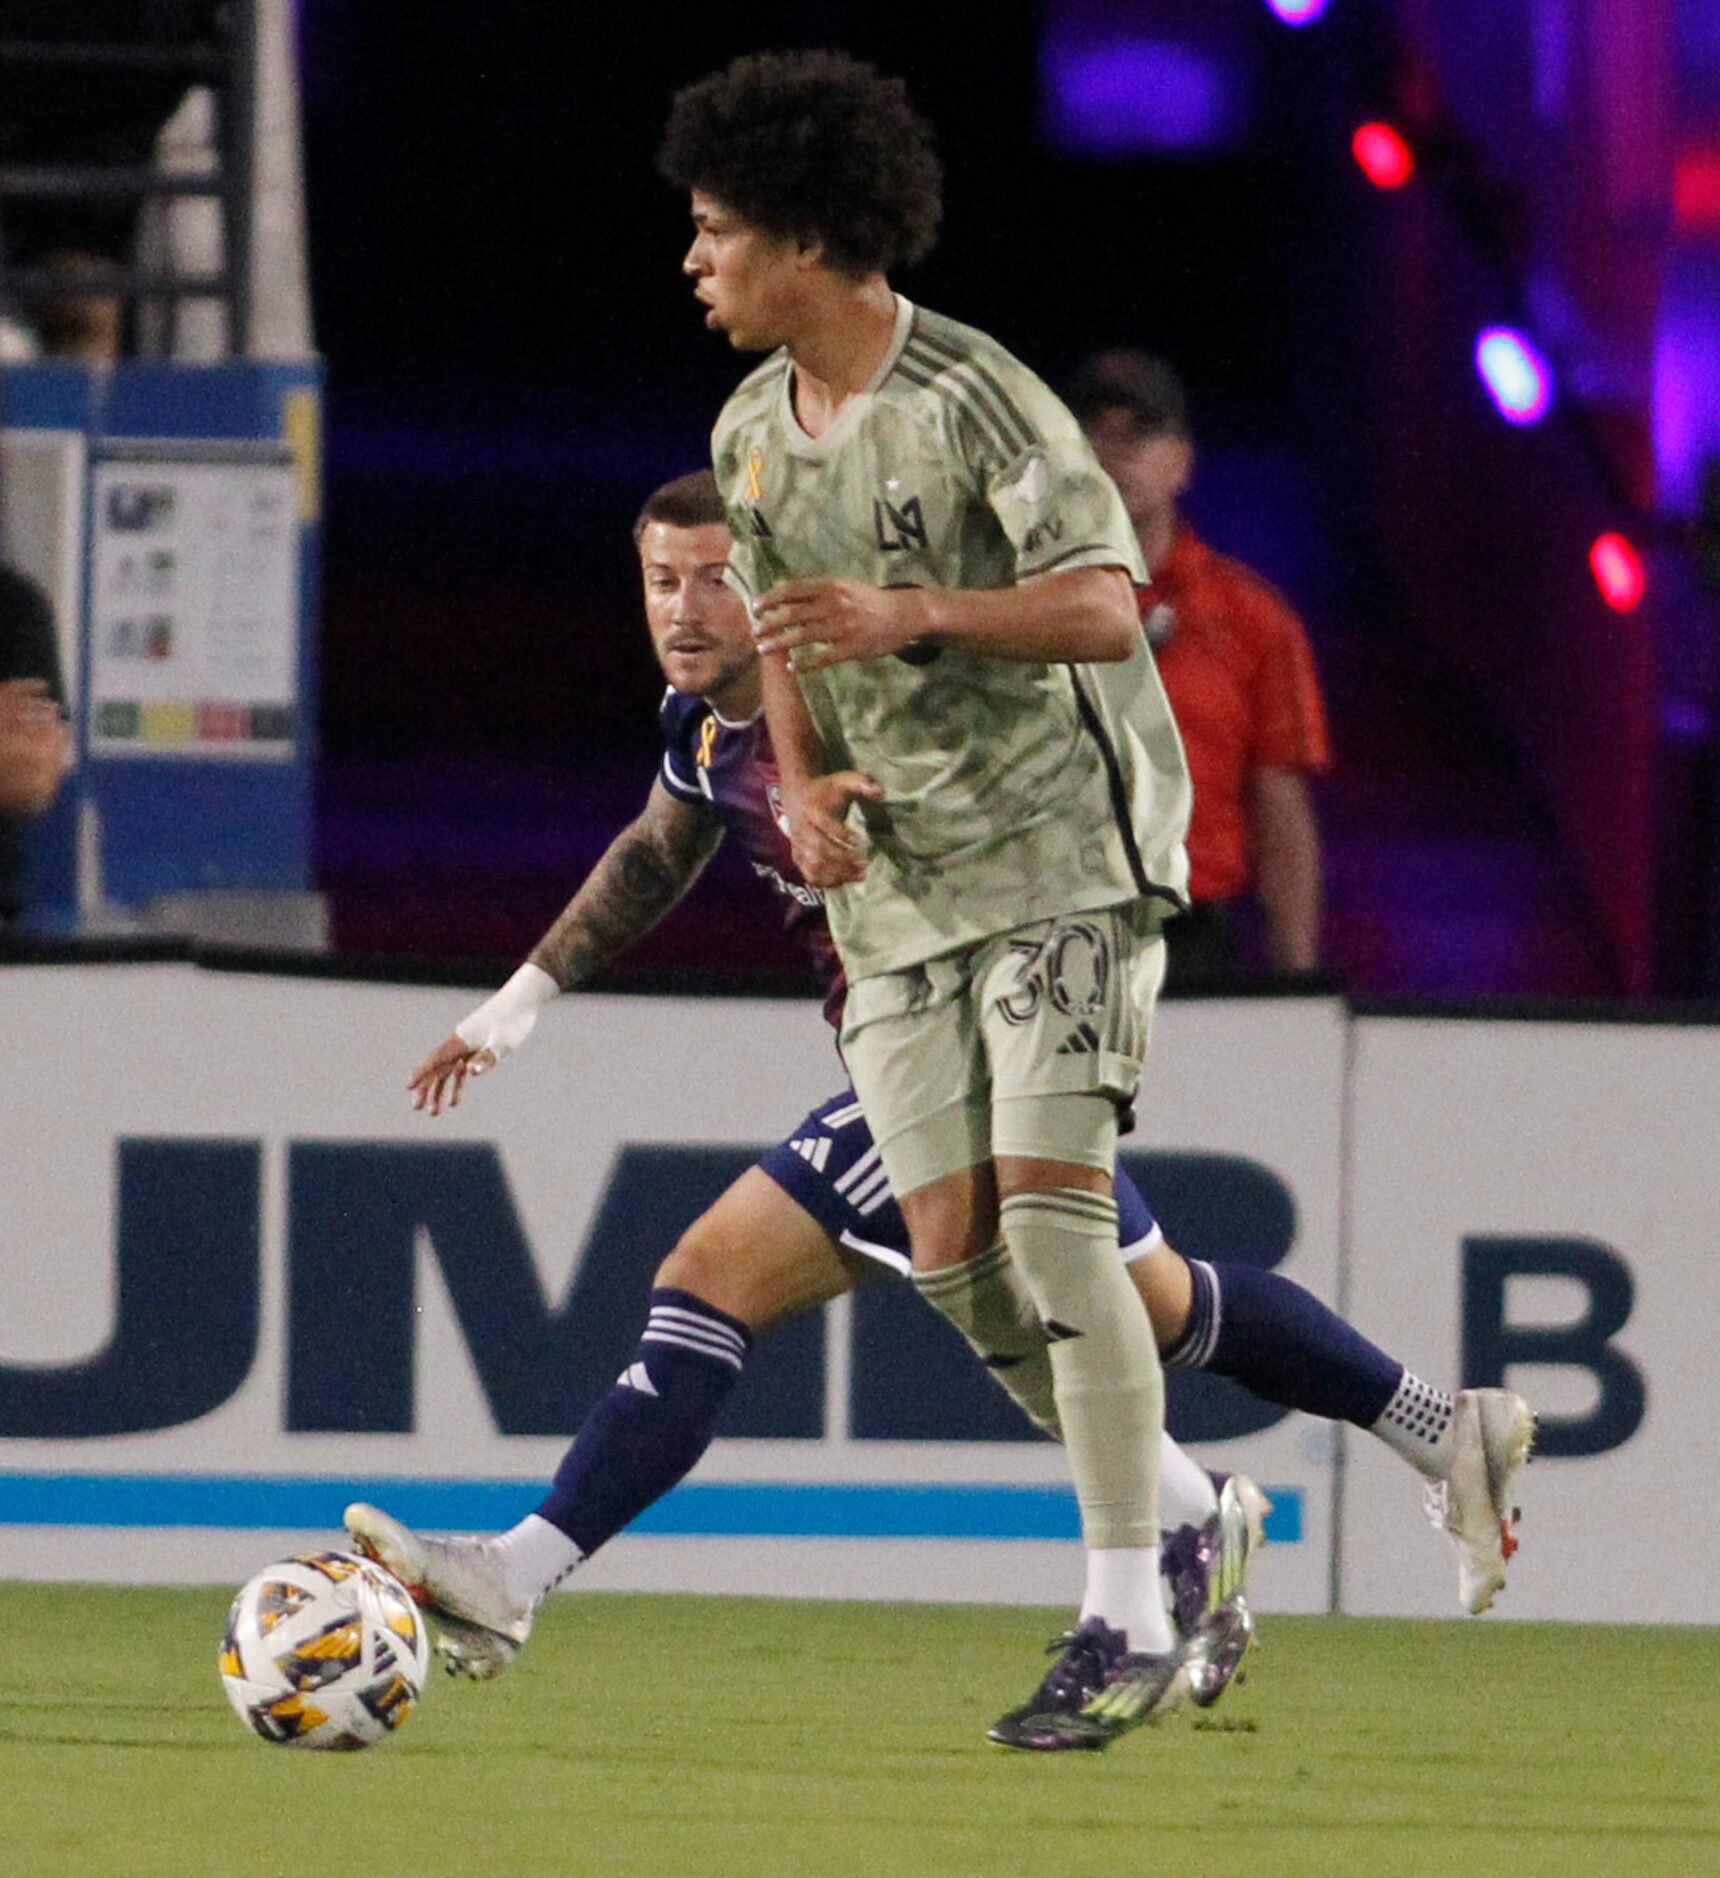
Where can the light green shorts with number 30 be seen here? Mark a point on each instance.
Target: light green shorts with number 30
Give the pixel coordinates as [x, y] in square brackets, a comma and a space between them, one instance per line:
[974, 1054]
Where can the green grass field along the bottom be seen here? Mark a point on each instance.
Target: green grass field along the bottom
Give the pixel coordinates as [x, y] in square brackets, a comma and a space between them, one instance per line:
[714, 1736]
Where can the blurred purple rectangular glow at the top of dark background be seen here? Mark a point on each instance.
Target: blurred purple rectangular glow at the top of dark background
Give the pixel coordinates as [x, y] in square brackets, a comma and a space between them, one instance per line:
[1126, 97]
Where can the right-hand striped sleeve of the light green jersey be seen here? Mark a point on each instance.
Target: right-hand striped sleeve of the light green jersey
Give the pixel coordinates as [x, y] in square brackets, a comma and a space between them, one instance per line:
[1041, 480]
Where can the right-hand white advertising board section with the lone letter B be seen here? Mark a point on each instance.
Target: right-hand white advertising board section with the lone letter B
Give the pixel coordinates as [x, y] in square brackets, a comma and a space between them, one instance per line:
[1543, 1197]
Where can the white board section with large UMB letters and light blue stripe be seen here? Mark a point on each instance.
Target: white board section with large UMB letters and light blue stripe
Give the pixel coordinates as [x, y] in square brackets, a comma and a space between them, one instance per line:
[243, 1282]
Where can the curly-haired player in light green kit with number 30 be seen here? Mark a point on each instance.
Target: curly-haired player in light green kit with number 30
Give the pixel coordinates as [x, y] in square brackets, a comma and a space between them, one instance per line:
[944, 587]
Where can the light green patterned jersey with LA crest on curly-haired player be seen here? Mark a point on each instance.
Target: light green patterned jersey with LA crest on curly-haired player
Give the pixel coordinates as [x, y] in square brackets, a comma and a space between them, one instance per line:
[1013, 792]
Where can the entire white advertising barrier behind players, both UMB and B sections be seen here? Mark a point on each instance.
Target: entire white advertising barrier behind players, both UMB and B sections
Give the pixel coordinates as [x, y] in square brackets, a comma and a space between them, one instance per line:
[241, 1282]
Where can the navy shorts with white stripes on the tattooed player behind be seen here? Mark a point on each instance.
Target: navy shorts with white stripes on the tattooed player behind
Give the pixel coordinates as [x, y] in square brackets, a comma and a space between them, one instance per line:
[831, 1167]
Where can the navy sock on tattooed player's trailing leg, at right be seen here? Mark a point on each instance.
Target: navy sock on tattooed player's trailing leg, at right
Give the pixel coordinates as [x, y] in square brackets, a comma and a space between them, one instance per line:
[1283, 1346]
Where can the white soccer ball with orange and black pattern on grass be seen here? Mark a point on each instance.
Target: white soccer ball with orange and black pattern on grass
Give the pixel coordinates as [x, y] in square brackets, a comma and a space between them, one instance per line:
[326, 1652]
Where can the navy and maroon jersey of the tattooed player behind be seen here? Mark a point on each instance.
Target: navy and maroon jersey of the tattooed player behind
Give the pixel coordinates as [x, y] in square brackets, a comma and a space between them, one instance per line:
[731, 769]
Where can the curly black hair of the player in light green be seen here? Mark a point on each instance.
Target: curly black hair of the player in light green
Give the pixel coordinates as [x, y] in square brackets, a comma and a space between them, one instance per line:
[816, 147]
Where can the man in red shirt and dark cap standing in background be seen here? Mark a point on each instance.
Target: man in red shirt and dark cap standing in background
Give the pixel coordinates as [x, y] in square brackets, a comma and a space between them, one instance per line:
[1240, 675]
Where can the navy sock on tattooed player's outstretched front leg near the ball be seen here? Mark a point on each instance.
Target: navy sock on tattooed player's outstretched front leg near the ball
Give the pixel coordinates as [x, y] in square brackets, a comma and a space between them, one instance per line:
[656, 1423]
